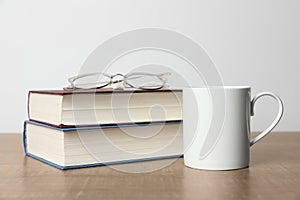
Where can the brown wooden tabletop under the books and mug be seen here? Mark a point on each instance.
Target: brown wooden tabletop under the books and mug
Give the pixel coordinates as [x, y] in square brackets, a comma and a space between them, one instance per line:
[274, 174]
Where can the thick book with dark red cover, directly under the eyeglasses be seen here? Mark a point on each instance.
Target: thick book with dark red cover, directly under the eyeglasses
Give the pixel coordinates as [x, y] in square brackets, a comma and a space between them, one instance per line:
[63, 108]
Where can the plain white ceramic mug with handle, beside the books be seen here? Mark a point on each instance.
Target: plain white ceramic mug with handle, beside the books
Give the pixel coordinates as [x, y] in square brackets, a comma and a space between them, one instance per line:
[216, 126]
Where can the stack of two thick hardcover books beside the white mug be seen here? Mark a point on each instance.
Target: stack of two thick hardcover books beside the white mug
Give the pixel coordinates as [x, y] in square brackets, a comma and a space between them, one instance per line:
[83, 128]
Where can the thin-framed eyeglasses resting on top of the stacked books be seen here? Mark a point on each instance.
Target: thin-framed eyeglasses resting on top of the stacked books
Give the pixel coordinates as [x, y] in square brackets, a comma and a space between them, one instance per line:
[138, 80]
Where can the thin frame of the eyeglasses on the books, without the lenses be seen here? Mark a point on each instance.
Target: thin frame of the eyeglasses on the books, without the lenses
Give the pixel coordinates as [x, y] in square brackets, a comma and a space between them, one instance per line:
[160, 76]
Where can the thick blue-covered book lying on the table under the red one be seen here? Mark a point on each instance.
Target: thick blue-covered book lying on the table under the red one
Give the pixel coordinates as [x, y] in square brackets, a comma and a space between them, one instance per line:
[70, 148]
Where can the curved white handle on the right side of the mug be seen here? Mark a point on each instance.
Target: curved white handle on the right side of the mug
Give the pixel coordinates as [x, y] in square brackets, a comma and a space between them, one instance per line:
[276, 120]
